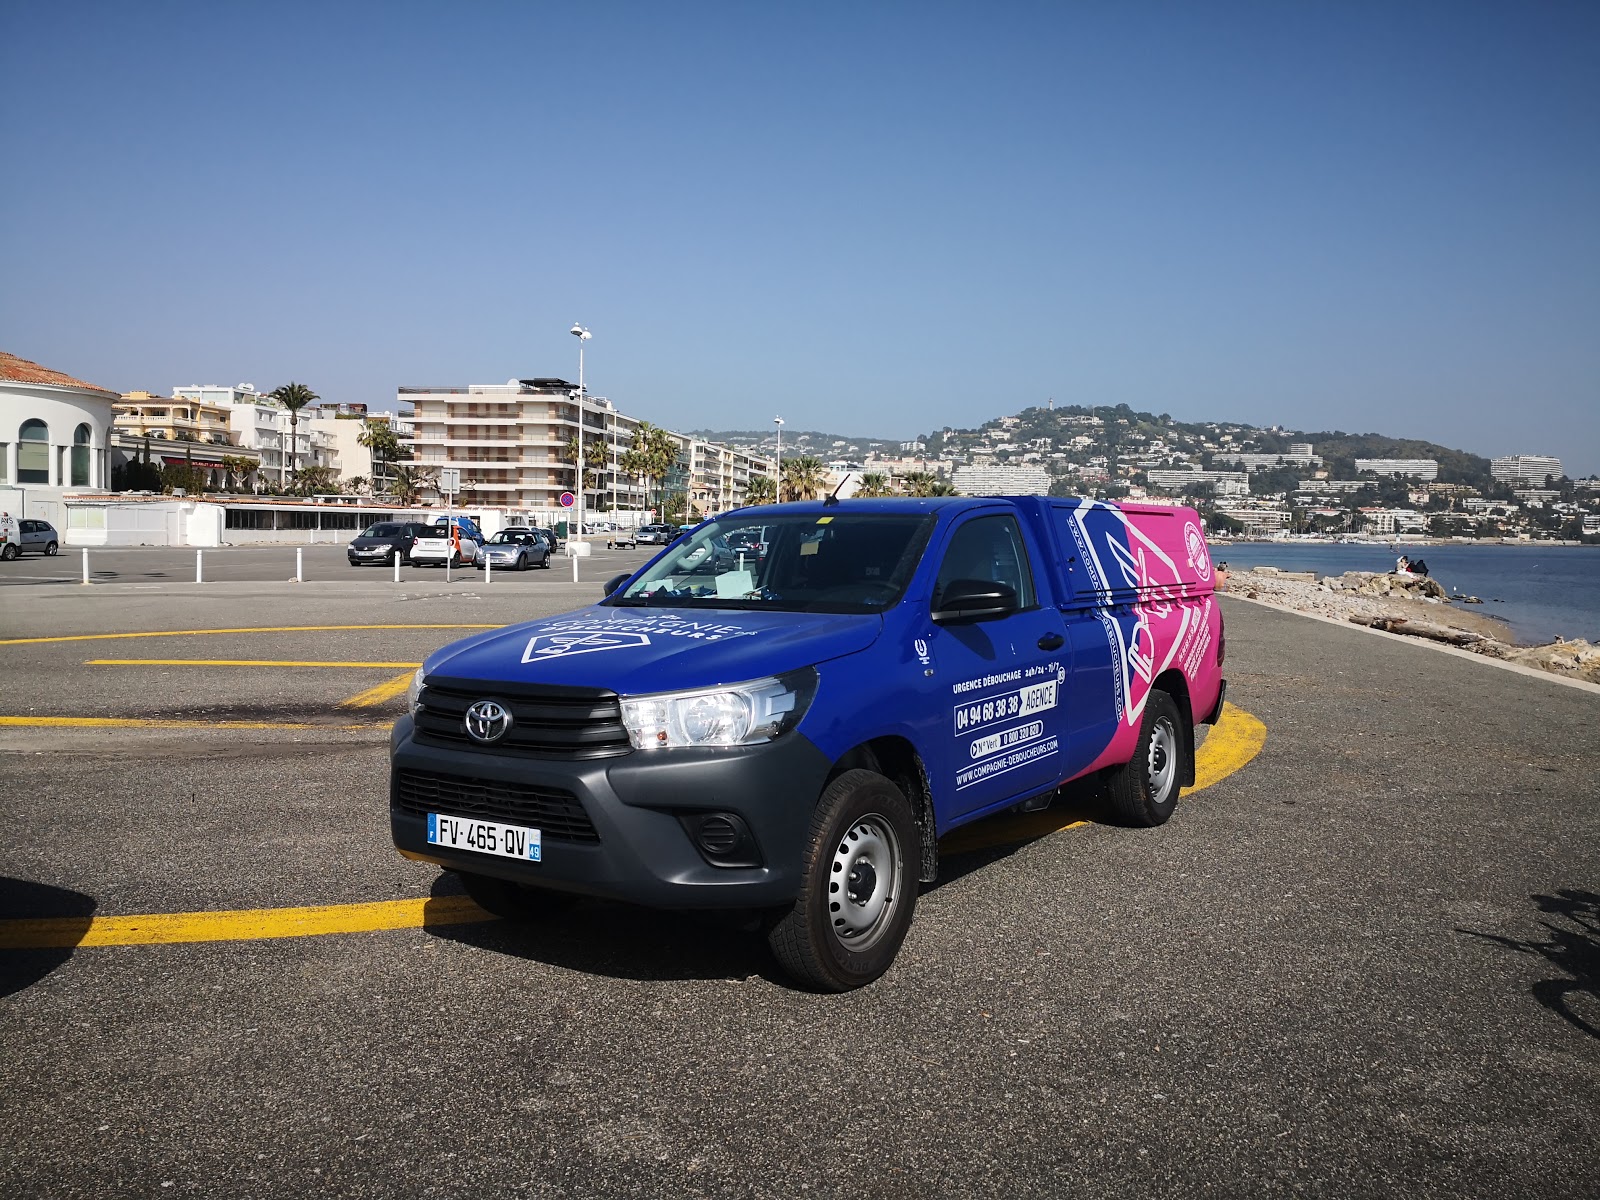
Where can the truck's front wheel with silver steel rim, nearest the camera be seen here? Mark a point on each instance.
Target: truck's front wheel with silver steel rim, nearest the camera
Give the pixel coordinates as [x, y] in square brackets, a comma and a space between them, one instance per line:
[858, 887]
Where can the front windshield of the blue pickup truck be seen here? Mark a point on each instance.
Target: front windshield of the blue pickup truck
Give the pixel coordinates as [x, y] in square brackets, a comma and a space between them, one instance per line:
[839, 562]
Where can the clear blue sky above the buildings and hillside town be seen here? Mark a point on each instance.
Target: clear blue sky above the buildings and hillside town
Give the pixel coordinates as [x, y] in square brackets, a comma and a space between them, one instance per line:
[868, 218]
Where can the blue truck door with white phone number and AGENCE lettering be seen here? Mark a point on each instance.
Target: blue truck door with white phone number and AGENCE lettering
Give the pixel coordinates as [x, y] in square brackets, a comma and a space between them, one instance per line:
[1002, 678]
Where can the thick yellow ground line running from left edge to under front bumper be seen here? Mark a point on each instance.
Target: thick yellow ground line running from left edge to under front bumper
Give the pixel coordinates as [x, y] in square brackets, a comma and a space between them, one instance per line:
[161, 929]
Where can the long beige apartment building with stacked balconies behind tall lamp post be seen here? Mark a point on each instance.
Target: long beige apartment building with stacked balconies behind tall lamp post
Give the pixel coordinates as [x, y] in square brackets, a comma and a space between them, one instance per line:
[511, 444]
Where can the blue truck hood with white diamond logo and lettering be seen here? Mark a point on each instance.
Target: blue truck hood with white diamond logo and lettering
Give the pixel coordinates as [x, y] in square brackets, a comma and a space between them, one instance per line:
[641, 650]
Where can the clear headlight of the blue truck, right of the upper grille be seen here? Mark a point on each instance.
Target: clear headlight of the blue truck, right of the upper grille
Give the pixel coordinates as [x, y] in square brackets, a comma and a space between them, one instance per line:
[743, 714]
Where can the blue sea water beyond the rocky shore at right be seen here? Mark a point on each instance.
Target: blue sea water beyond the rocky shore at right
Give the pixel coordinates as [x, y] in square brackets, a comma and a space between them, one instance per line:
[1540, 591]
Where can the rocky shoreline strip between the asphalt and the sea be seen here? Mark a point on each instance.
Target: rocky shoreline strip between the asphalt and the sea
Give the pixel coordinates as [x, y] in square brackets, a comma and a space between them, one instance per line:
[1414, 606]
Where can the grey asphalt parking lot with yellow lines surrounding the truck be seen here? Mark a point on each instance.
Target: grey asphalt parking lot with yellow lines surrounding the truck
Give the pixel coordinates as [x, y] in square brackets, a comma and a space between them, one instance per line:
[1361, 964]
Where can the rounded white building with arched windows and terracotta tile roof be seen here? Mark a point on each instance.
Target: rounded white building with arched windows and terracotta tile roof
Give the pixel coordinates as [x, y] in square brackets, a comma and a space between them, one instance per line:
[55, 438]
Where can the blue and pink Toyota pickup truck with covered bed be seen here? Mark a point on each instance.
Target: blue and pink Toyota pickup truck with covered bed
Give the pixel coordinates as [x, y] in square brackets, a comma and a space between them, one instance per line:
[791, 732]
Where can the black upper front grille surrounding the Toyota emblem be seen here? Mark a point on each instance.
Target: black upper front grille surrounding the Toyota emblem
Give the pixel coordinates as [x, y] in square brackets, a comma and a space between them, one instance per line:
[546, 722]
